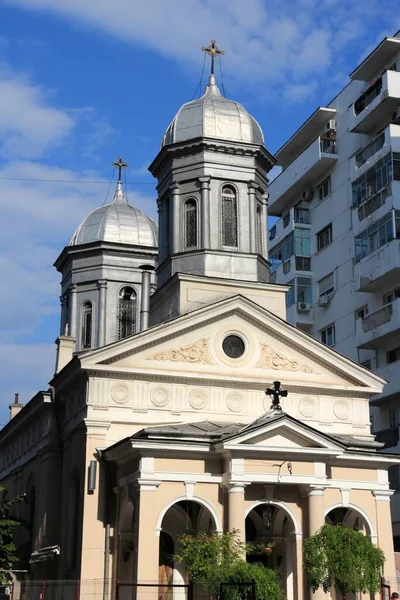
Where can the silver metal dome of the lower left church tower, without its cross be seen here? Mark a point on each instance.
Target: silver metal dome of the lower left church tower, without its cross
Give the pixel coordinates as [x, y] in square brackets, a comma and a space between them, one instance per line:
[117, 222]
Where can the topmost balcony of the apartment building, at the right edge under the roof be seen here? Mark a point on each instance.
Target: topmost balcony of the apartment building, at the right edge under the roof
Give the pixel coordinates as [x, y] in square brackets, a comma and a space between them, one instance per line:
[376, 105]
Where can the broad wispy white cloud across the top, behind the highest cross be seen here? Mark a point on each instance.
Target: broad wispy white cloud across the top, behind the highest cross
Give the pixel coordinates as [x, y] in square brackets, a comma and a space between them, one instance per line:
[273, 42]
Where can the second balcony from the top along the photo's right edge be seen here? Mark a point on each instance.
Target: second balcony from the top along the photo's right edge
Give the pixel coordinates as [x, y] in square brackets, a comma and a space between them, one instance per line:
[366, 157]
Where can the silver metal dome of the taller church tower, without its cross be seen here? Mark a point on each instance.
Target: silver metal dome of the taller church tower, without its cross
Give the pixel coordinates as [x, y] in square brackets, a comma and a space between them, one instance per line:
[213, 116]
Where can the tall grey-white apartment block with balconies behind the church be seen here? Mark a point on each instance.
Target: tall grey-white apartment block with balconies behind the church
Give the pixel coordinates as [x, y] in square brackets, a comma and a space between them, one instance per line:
[337, 239]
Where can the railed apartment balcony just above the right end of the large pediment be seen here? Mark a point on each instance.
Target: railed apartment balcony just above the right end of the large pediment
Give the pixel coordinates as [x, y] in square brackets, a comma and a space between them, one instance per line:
[378, 327]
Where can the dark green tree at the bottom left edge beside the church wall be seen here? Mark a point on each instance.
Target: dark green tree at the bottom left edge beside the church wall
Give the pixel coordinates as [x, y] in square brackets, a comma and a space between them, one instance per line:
[8, 523]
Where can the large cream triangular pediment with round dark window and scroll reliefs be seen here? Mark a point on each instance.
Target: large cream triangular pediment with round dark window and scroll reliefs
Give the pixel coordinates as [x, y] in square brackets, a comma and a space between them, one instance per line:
[192, 346]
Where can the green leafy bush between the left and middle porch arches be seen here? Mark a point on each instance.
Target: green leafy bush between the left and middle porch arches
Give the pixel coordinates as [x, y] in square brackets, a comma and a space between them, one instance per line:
[216, 558]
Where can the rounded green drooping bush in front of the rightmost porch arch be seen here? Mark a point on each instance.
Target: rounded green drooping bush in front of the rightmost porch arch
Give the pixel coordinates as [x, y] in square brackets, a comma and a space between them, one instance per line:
[339, 557]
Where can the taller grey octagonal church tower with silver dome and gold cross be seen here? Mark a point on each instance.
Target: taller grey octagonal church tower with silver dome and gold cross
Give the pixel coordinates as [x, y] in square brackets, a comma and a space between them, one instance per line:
[212, 190]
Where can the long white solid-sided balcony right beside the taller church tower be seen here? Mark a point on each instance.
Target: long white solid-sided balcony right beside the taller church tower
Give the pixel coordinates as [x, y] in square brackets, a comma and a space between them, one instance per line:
[286, 190]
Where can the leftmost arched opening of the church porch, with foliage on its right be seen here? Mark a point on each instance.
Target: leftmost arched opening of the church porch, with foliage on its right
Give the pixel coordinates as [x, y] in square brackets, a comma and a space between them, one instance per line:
[184, 516]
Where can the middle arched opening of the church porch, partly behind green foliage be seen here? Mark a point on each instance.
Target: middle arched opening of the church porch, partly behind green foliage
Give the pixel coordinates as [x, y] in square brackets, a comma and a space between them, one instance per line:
[269, 523]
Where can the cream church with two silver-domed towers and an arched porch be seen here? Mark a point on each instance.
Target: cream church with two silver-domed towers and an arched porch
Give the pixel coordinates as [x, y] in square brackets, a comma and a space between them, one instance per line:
[156, 422]
